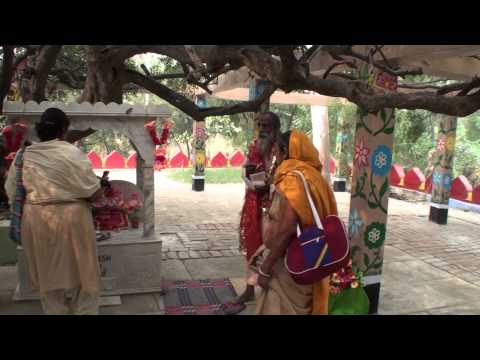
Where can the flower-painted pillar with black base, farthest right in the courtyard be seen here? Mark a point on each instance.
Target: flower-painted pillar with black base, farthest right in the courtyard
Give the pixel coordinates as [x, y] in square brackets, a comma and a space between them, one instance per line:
[443, 170]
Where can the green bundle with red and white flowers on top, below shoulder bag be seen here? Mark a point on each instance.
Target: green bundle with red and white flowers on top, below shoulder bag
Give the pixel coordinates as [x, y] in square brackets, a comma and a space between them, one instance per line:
[347, 293]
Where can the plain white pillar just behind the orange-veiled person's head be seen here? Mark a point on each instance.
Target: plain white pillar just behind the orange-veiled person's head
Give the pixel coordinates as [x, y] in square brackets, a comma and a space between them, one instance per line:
[321, 137]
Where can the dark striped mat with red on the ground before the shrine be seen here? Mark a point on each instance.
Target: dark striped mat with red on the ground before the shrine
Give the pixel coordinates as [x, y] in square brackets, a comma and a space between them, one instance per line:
[197, 297]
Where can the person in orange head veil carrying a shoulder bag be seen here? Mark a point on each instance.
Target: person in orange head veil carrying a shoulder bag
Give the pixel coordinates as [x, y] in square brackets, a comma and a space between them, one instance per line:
[280, 295]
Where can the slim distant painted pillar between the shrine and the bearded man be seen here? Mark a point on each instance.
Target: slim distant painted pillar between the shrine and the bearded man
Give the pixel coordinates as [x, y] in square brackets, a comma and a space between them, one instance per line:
[199, 157]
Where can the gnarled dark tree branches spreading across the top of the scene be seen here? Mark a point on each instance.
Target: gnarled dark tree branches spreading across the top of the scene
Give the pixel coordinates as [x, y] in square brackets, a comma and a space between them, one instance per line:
[105, 73]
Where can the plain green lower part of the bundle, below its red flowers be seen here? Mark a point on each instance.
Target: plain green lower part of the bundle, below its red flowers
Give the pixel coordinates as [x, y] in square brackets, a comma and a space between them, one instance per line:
[349, 302]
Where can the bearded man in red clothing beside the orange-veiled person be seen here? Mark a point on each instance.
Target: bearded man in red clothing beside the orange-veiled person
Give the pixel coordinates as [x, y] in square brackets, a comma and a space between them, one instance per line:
[259, 159]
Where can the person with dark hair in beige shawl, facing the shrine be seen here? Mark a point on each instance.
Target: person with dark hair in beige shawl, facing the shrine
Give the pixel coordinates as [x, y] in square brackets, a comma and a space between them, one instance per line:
[57, 230]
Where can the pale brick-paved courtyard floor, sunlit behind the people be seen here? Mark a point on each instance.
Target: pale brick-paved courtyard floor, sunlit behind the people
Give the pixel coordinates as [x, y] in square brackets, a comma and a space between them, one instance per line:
[429, 269]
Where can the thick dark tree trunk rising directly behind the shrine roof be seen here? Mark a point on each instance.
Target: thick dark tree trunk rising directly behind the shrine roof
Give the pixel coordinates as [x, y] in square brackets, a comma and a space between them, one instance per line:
[105, 77]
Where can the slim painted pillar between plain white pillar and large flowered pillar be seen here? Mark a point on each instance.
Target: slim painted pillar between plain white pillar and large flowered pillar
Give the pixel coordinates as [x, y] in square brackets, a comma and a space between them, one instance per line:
[342, 169]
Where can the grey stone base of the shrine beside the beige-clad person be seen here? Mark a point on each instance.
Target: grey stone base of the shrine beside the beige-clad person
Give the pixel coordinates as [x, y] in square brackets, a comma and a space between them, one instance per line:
[129, 264]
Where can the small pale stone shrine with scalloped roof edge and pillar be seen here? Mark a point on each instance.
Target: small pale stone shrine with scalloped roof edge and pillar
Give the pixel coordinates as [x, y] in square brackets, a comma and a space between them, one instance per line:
[130, 261]
